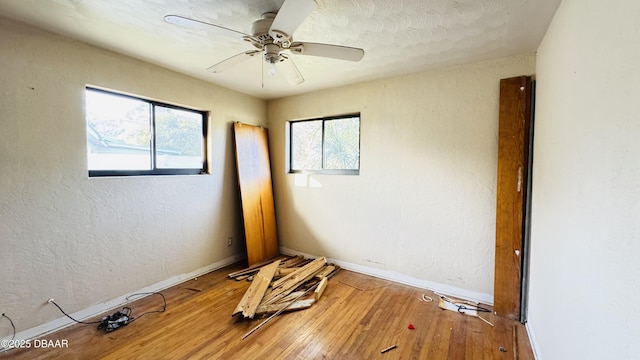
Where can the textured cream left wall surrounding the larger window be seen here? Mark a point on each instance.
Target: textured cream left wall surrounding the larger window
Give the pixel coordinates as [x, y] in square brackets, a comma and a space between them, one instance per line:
[84, 241]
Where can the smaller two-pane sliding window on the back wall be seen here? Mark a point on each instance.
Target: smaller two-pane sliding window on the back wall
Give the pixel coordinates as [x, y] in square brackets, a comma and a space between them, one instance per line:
[325, 146]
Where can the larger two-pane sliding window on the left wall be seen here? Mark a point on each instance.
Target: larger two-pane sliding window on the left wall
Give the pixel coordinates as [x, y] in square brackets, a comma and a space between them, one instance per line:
[132, 136]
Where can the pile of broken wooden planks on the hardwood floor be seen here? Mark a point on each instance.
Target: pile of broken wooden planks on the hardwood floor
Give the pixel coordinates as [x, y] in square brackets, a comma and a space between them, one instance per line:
[282, 284]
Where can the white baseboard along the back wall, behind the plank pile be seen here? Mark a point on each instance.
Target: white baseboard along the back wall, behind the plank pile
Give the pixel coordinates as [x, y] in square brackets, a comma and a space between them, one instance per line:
[404, 279]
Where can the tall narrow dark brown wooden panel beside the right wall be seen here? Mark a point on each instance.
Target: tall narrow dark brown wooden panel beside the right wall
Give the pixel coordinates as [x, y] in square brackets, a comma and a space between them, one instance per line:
[513, 154]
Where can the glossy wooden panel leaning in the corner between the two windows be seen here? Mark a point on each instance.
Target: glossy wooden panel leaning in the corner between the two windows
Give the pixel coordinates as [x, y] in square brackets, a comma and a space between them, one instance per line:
[256, 191]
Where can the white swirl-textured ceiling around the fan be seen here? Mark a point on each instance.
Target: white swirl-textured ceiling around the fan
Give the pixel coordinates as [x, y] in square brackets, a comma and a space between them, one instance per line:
[398, 36]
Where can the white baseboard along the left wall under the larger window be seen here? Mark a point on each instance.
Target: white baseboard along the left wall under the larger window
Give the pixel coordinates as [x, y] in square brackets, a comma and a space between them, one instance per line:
[60, 323]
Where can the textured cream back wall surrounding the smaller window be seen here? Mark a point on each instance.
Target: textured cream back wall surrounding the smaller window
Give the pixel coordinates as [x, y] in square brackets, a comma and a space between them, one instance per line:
[424, 202]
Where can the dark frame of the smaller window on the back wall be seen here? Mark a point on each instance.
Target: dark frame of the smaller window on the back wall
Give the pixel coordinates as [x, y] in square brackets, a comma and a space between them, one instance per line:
[289, 147]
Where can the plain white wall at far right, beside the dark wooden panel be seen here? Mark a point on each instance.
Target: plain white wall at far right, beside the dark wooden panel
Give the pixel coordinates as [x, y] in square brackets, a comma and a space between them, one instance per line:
[586, 194]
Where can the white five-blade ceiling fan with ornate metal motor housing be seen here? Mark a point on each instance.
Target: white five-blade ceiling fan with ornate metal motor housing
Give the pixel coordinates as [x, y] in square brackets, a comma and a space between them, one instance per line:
[272, 36]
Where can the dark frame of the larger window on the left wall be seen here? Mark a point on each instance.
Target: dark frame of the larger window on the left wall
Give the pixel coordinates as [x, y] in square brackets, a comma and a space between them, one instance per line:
[153, 156]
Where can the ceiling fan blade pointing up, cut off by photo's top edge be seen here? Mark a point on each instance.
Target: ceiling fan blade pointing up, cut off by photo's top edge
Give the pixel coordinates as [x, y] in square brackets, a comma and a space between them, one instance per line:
[289, 17]
